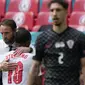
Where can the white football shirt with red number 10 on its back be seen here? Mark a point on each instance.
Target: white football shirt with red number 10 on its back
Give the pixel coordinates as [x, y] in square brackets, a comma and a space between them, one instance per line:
[20, 75]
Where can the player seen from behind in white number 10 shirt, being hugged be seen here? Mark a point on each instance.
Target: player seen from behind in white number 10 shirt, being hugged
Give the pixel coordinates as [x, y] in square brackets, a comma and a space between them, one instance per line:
[19, 75]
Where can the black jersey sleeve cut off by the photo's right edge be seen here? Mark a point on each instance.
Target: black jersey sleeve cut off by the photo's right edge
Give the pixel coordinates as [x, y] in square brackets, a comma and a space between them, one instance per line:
[82, 45]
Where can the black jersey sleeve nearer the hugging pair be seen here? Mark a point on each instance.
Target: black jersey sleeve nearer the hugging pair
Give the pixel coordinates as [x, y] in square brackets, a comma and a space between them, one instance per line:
[39, 45]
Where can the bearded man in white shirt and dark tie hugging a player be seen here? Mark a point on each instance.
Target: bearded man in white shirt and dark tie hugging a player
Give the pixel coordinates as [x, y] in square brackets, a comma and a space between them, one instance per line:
[7, 30]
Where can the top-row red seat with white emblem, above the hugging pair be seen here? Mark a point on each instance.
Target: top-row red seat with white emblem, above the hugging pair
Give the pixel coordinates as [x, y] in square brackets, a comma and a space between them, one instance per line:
[24, 6]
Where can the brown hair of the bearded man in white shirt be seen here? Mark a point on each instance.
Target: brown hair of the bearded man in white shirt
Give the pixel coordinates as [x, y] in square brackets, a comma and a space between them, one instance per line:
[9, 22]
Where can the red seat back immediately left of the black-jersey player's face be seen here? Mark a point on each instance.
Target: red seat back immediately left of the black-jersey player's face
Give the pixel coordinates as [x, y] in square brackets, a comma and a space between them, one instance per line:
[44, 18]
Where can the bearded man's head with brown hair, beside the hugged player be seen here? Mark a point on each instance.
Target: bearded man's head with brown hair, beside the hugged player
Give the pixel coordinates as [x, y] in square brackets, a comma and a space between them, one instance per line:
[7, 29]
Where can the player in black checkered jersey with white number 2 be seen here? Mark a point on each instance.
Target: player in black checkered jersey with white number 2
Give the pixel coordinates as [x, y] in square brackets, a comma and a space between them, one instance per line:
[62, 50]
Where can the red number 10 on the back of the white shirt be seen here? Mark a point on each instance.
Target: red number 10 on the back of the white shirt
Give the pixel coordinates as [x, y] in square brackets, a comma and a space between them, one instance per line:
[17, 76]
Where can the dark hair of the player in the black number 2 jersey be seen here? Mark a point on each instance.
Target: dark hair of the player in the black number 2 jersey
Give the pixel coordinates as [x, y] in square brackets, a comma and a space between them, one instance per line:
[61, 2]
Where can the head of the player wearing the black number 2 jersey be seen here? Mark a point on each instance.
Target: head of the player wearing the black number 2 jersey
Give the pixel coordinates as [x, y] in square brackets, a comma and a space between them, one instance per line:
[58, 11]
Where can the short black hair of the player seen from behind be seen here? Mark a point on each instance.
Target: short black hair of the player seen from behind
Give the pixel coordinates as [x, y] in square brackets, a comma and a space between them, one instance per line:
[22, 36]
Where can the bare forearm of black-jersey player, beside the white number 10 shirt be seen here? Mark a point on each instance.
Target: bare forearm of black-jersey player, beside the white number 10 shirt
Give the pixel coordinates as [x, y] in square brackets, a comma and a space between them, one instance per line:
[34, 71]
